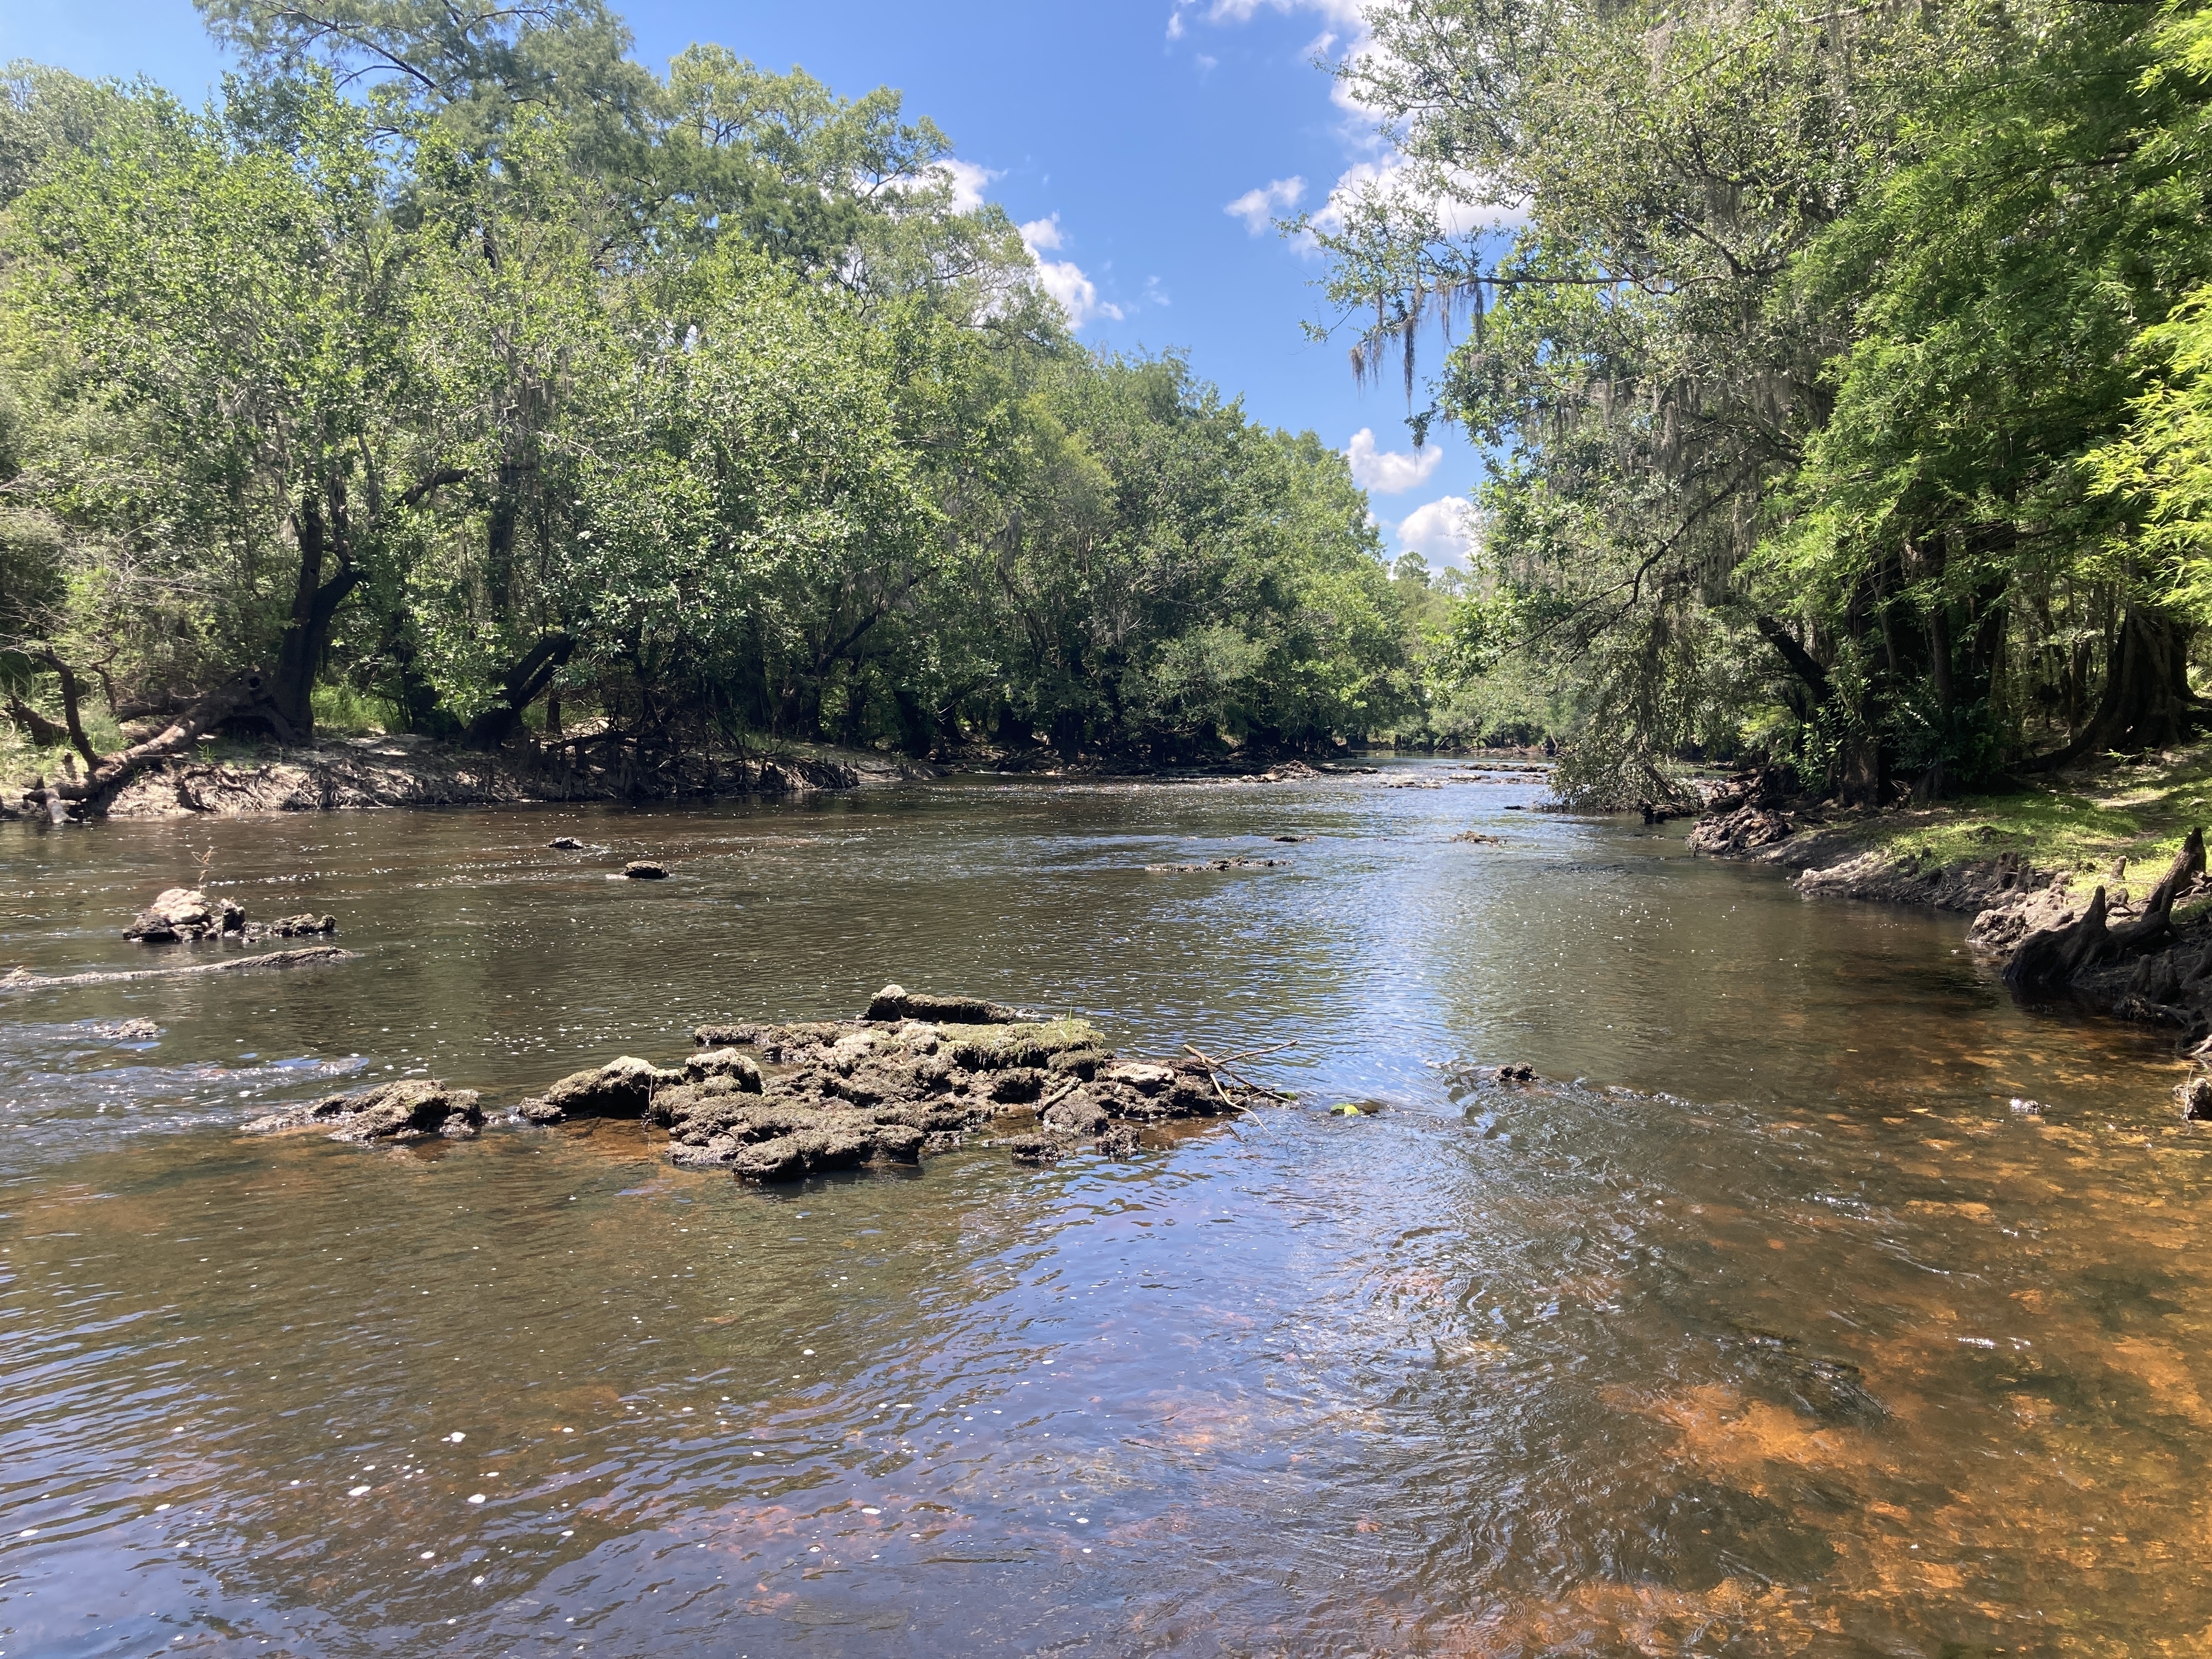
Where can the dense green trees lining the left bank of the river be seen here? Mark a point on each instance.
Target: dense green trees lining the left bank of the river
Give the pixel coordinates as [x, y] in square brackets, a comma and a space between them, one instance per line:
[457, 364]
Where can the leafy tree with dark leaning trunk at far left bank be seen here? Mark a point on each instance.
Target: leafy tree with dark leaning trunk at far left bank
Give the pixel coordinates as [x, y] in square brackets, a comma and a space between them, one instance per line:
[207, 315]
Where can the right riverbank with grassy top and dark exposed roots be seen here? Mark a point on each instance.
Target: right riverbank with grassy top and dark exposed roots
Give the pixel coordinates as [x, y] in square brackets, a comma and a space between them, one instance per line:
[2087, 888]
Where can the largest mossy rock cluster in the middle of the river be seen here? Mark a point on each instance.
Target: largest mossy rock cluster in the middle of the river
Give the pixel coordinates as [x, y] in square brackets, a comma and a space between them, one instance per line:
[912, 1078]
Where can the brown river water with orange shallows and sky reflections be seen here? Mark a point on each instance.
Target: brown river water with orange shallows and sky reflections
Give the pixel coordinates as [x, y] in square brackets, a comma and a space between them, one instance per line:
[1777, 1333]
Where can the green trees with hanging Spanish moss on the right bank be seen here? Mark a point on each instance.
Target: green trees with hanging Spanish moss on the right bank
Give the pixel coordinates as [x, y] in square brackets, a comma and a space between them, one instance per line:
[1841, 382]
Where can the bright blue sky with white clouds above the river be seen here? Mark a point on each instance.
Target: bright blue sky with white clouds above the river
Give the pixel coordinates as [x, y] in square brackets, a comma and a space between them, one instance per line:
[1142, 143]
